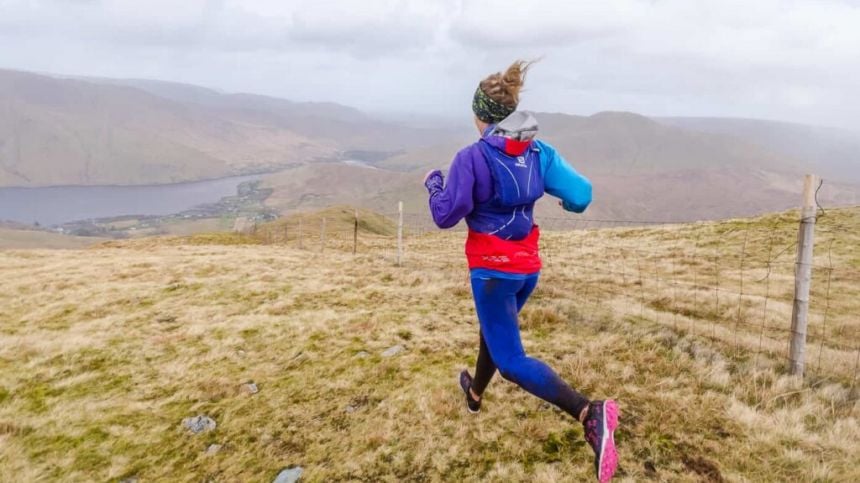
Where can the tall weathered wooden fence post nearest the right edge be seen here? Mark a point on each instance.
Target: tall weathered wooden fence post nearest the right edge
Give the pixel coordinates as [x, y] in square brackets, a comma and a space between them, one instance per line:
[803, 277]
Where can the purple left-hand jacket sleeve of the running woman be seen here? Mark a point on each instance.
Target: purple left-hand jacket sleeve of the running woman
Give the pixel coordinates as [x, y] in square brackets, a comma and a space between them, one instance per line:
[451, 201]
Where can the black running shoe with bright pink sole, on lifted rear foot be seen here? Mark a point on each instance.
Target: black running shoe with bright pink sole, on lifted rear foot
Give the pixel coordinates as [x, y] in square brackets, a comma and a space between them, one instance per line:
[600, 424]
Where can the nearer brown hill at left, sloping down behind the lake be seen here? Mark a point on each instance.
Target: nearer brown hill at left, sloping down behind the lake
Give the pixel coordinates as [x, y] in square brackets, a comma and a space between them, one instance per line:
[71, 132]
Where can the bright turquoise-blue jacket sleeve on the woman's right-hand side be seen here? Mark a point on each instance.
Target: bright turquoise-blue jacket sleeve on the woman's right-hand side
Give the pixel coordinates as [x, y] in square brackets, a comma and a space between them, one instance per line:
[562, 181]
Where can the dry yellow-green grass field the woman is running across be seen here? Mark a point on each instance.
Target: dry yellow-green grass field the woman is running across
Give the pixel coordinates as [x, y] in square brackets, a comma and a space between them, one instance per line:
[104, 352]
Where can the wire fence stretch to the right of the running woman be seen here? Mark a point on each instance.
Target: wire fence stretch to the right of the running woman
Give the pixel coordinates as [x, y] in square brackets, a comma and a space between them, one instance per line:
[732, 285]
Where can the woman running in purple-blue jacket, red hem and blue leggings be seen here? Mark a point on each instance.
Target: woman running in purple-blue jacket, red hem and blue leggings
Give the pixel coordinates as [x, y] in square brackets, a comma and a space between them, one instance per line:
[494, 184]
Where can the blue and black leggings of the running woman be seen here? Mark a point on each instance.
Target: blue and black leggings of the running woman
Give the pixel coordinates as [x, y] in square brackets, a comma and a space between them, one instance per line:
[498, 302]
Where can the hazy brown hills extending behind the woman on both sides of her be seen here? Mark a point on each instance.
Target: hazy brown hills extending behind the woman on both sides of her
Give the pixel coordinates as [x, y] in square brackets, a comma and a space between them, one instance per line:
[641, 169]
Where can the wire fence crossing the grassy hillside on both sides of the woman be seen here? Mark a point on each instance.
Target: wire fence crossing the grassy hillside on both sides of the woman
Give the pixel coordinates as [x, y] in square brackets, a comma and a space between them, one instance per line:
[729, 282]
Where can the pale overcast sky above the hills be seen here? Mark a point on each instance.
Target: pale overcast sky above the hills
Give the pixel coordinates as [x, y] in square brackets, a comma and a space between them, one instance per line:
[789, 60]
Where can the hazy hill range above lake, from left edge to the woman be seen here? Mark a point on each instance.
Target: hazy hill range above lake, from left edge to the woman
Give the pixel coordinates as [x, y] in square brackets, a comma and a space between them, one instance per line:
[61, 131]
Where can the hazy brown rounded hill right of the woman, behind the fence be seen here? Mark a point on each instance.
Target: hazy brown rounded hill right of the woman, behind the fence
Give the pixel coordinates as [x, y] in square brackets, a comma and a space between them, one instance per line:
[644, 169]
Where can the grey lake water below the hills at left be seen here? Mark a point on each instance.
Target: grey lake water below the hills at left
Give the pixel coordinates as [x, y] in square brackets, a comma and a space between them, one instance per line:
[61, 204]
